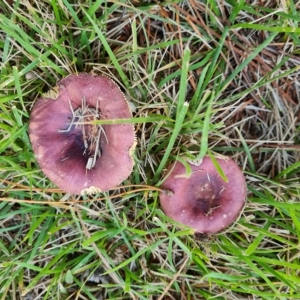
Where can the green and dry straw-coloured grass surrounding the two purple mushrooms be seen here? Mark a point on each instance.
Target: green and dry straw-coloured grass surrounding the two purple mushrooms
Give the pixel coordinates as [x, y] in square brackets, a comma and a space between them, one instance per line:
[204, 77]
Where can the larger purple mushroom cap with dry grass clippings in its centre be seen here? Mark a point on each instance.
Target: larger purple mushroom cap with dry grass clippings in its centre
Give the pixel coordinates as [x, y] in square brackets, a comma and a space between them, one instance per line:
[78, 156]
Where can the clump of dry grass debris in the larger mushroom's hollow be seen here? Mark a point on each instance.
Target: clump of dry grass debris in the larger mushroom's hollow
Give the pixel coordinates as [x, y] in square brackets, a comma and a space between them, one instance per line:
[88, 136]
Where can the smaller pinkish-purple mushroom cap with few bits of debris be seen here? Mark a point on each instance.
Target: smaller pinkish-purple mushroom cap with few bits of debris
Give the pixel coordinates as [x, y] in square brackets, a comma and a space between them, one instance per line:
[204, 201]
